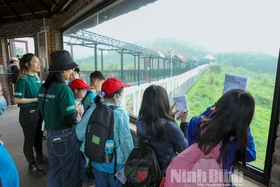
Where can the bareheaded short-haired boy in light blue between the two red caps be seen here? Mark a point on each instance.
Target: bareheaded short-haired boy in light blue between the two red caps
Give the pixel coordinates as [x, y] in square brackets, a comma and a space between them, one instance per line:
[96, 81]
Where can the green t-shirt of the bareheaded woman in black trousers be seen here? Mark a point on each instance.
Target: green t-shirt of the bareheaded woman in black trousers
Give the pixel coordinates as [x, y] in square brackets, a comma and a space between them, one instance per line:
[27, 87]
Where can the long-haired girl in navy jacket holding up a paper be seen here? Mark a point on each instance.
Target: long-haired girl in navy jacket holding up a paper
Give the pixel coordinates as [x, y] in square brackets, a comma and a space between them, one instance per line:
[158, 125]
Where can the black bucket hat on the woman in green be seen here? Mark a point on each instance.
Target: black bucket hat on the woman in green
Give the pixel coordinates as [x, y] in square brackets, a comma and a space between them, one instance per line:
[61, 60]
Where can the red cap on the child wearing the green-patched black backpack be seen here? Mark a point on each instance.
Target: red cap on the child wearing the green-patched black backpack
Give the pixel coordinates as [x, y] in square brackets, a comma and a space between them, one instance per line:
[113, 84]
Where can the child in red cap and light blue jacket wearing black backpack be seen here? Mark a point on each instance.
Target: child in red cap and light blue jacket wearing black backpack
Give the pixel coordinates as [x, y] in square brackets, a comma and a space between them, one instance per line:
[111, 156]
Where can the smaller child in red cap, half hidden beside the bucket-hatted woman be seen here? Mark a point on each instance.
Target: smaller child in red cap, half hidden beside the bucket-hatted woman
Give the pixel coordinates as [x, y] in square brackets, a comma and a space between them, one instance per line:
[79, 88]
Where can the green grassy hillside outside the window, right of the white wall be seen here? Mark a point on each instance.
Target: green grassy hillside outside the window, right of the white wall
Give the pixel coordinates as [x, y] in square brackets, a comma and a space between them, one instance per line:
[209, 88]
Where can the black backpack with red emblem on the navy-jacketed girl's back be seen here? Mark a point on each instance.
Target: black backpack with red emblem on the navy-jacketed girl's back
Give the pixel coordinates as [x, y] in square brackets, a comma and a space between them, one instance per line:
[141, 168]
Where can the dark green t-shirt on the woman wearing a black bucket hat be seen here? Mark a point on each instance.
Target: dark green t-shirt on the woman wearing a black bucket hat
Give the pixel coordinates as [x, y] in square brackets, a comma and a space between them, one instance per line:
[59, 102]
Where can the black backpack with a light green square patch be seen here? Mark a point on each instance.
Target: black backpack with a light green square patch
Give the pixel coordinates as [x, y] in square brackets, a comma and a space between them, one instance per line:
[99, 129]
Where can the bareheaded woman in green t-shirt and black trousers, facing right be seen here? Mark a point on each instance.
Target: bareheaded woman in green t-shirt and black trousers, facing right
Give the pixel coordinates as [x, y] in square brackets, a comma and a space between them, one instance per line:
[25, 95]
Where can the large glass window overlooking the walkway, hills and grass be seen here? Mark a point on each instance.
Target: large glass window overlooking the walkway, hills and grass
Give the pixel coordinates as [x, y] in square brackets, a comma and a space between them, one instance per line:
[215, 37]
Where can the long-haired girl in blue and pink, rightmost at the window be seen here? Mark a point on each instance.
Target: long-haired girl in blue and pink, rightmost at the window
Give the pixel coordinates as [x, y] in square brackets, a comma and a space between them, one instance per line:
[221, 142]
